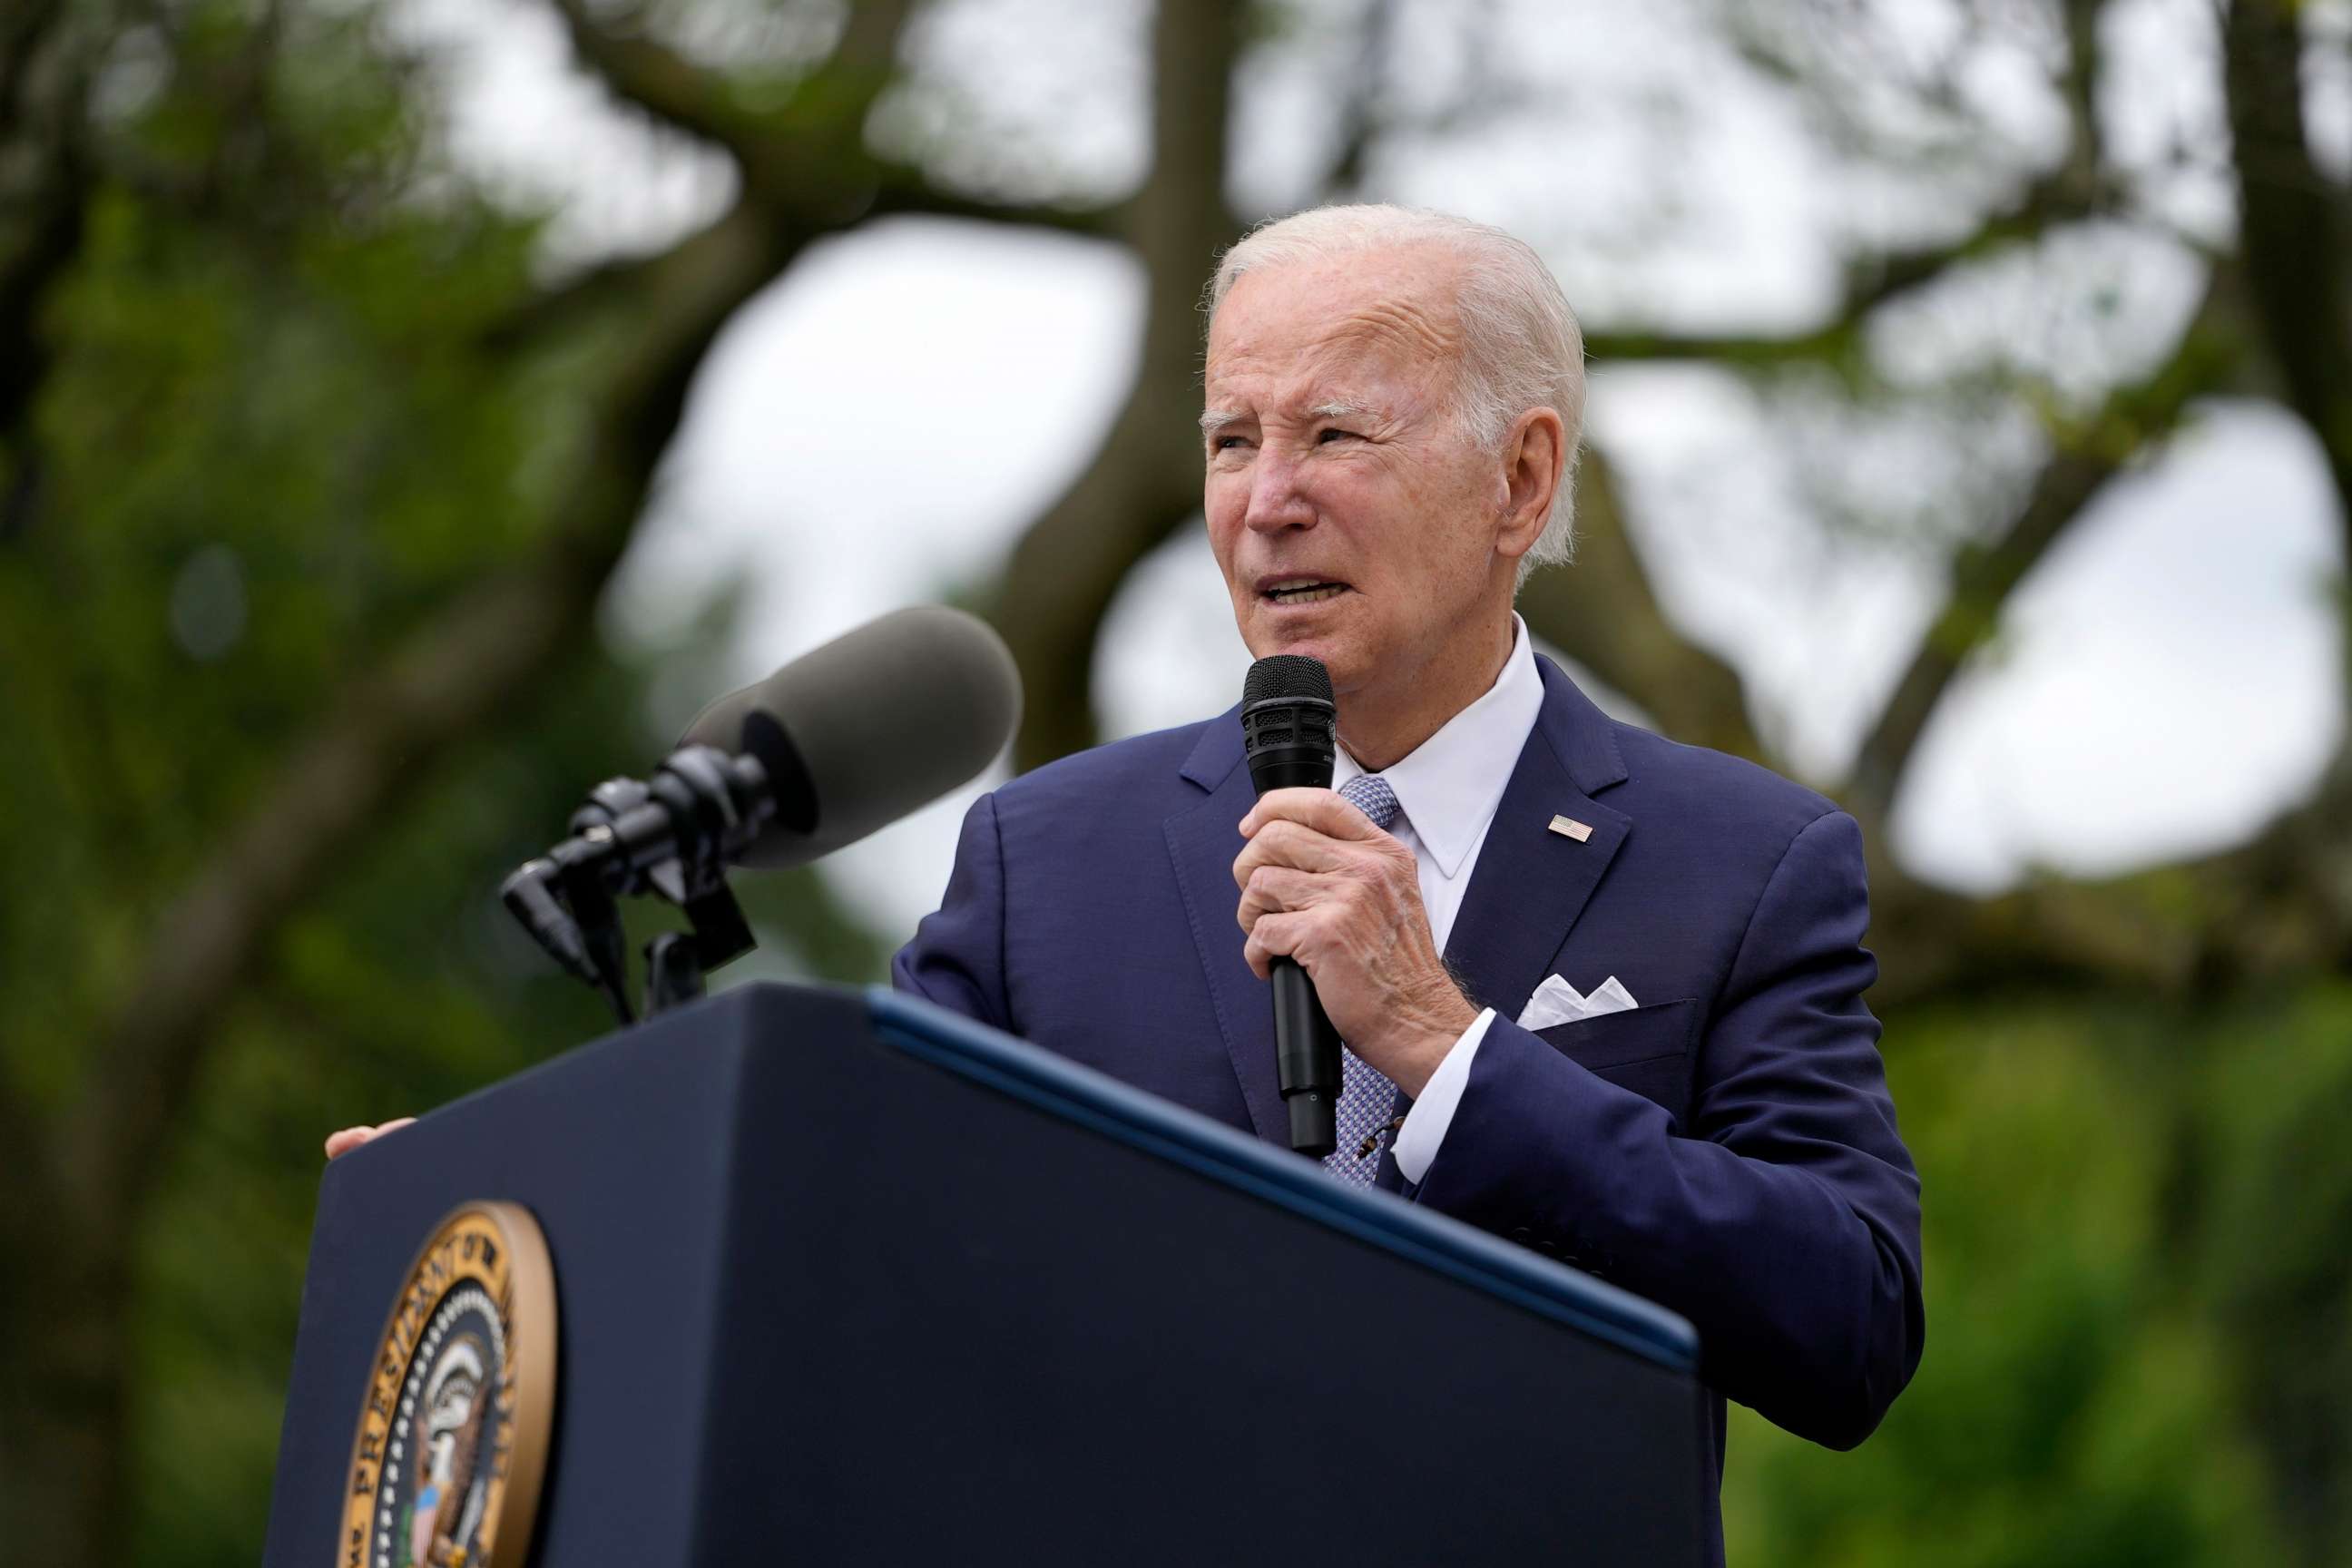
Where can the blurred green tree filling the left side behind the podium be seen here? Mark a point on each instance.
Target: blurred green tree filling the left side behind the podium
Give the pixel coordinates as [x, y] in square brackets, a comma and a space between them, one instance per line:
[309, 490]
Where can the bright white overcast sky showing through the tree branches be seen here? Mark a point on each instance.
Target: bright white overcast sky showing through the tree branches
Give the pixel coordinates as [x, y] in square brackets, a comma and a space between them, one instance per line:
[881, 424]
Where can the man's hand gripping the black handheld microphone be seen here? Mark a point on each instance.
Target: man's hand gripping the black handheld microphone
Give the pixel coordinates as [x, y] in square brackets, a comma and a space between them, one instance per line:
[1325, 887]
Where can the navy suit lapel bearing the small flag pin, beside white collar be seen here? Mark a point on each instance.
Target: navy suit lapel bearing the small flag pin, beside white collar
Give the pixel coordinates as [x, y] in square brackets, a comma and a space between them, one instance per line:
[1530, 883]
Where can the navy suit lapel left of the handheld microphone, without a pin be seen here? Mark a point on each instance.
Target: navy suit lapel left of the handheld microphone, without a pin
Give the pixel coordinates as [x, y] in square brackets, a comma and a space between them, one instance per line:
[1203, 843]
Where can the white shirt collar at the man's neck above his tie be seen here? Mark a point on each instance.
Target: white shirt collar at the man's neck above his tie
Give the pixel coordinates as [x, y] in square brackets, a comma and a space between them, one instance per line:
[1455, 782]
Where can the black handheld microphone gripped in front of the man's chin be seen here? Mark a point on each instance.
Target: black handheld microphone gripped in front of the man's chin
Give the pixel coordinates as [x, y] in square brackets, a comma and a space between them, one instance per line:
[1290, 742]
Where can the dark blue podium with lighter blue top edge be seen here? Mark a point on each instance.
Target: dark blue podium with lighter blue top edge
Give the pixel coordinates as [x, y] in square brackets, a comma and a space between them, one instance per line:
[850, 1280]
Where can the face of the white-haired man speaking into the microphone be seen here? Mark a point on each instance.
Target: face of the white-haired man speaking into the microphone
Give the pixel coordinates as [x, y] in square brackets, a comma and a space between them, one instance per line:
[1349, 514]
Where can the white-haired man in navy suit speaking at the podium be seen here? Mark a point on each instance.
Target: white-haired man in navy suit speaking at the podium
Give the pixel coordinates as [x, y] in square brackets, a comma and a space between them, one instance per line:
[1697, 1106]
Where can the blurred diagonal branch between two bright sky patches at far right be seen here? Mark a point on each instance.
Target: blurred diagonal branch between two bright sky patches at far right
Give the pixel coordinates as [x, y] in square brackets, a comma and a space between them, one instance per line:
[2085, 460]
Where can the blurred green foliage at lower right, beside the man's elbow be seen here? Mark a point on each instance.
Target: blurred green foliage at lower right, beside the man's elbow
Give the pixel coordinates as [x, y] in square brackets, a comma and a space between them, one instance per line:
[2137, 1282]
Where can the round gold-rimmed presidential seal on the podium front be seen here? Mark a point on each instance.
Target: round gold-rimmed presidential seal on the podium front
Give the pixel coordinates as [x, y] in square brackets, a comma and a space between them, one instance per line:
[455, 1428]
